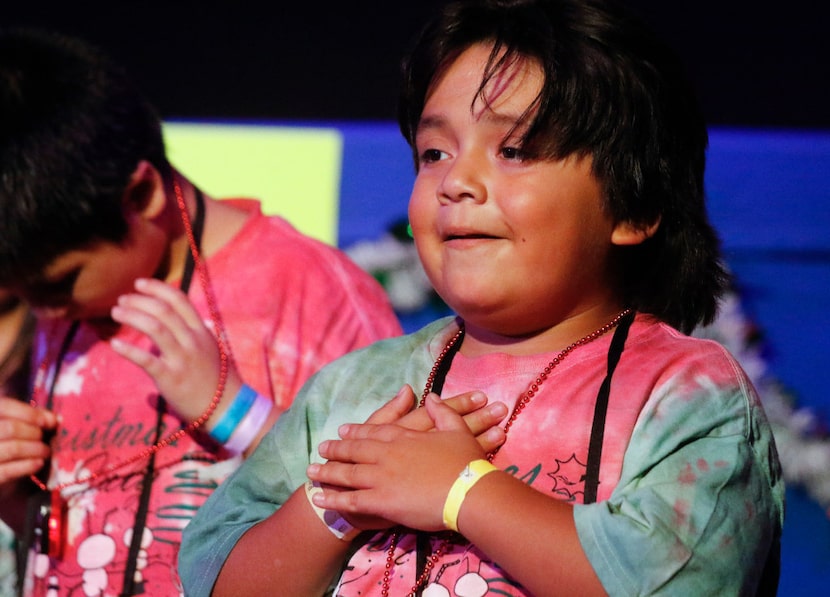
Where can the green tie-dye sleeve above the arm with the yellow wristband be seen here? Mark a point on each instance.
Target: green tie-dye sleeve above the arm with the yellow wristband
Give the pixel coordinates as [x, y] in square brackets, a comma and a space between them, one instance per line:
[699, 506]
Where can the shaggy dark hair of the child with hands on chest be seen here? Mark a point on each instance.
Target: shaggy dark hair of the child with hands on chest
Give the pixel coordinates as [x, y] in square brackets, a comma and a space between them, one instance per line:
[614, 92]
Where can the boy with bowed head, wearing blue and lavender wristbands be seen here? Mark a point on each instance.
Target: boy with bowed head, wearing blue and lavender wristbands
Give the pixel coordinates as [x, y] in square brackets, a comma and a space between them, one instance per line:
[173, 328]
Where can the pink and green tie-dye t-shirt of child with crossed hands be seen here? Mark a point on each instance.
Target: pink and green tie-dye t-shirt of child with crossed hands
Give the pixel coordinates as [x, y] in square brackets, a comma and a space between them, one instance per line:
[690, 499]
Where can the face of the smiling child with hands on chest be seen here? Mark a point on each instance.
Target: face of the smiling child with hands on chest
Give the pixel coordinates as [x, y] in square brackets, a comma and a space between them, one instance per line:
[512, 245]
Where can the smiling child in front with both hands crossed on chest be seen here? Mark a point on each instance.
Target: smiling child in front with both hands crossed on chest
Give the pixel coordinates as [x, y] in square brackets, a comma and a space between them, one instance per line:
[558, 209]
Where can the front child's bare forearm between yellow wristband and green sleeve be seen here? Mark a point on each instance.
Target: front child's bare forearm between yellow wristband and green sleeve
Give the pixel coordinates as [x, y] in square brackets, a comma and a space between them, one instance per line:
[532, 536]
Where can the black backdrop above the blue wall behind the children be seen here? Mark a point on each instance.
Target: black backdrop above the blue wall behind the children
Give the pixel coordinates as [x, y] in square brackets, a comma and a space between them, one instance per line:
[755, 64]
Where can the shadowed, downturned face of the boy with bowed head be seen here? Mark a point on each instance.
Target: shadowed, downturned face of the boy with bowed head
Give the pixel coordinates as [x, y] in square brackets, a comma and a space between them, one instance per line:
[86, 283]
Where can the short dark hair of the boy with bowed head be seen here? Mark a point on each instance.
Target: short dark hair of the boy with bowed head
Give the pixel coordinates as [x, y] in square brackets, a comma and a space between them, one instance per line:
[73, 128]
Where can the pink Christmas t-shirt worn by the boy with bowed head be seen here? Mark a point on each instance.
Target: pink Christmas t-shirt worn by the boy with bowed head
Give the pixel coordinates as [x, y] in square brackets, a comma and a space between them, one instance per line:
[290, 304]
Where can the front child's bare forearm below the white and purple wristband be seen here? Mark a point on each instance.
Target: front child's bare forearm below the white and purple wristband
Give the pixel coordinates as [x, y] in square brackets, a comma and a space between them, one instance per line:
[289, 553]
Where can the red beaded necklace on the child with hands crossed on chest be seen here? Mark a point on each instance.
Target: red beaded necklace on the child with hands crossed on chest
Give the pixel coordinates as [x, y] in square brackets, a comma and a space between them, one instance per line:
[523, 401]
